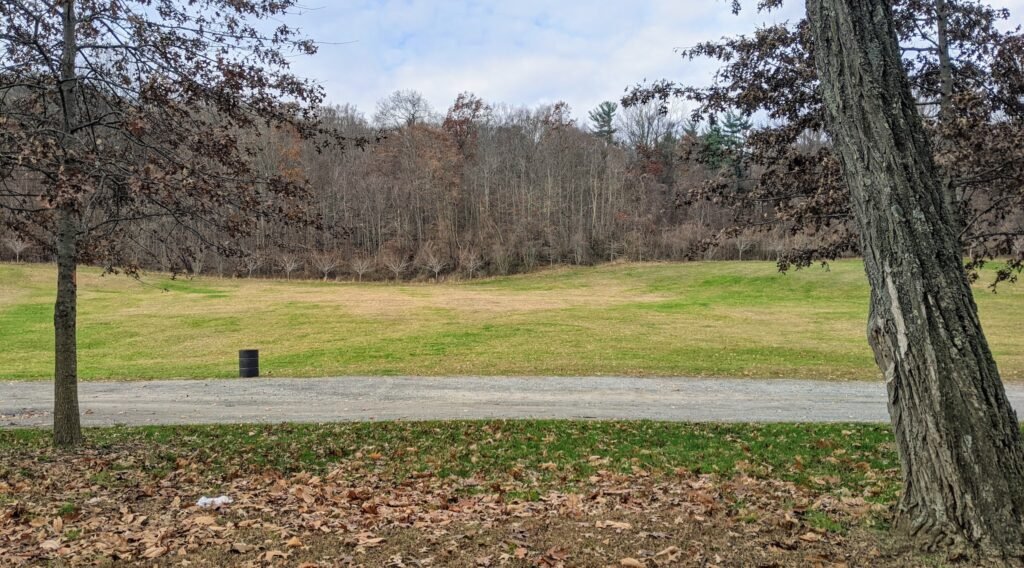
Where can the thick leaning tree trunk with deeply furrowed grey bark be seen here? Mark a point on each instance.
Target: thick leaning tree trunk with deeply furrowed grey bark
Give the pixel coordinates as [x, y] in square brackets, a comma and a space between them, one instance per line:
[958, 438]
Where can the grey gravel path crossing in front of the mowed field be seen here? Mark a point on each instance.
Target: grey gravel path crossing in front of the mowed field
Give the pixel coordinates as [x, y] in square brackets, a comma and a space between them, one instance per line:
[369, 399]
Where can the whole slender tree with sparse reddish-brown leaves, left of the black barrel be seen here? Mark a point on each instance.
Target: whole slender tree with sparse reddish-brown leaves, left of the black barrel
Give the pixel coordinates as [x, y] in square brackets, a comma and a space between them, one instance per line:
[122, 113]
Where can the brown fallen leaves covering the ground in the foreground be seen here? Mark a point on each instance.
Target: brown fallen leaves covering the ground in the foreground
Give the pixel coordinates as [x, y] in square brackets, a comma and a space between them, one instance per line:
[97, 507]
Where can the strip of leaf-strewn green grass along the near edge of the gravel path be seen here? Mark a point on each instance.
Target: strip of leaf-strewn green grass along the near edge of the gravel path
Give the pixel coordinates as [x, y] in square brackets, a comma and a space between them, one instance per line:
[858, 458]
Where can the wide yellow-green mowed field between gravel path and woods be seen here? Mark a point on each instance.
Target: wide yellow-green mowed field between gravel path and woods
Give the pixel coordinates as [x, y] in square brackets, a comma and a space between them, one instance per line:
[717, 319]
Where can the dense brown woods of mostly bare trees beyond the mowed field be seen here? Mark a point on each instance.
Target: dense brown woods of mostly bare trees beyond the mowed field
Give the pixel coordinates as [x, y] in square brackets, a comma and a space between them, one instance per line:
[482, 190]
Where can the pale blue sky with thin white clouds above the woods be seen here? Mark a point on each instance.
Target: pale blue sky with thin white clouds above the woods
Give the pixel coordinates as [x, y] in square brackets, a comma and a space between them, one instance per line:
[521, 53]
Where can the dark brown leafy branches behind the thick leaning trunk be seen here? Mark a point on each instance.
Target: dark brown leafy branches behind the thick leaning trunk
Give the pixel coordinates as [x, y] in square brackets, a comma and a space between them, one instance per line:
[967, 82]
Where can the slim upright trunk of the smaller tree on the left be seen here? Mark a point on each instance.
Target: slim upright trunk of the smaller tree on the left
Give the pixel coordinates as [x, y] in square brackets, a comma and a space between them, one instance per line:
[67, 422]
